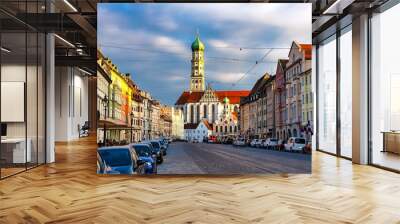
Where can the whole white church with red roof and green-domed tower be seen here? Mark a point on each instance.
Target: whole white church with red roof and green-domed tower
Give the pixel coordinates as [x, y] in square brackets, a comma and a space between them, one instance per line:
[218, 107]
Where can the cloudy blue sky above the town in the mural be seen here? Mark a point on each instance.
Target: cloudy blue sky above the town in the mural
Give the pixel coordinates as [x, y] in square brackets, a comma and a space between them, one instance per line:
[151, 41]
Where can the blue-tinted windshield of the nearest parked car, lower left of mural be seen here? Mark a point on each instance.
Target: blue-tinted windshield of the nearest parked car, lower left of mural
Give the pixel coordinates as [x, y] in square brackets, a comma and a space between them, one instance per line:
[116, 157]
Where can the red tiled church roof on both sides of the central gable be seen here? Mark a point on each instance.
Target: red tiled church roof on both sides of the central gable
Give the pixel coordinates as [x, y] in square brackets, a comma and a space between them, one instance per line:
[194, 97]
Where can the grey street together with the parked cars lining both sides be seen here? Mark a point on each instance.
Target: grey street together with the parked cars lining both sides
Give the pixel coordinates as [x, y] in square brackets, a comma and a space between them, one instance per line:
[233, 156]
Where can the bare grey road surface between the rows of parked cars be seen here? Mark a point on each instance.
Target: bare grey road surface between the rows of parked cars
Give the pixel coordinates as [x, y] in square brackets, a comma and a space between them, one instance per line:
[203, 158]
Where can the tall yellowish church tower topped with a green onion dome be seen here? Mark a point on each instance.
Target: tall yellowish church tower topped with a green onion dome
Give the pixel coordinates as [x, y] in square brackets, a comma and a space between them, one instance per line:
[197, 82]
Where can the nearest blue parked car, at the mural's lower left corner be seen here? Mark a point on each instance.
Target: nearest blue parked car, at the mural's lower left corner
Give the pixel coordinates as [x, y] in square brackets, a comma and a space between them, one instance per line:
[121, 159]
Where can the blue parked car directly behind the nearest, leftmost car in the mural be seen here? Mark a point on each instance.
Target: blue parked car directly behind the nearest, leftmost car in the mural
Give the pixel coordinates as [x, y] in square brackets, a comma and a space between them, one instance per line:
[144, 152]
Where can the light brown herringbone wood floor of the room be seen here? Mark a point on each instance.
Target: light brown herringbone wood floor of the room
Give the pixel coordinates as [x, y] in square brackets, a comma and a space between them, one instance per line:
[69, 191]
